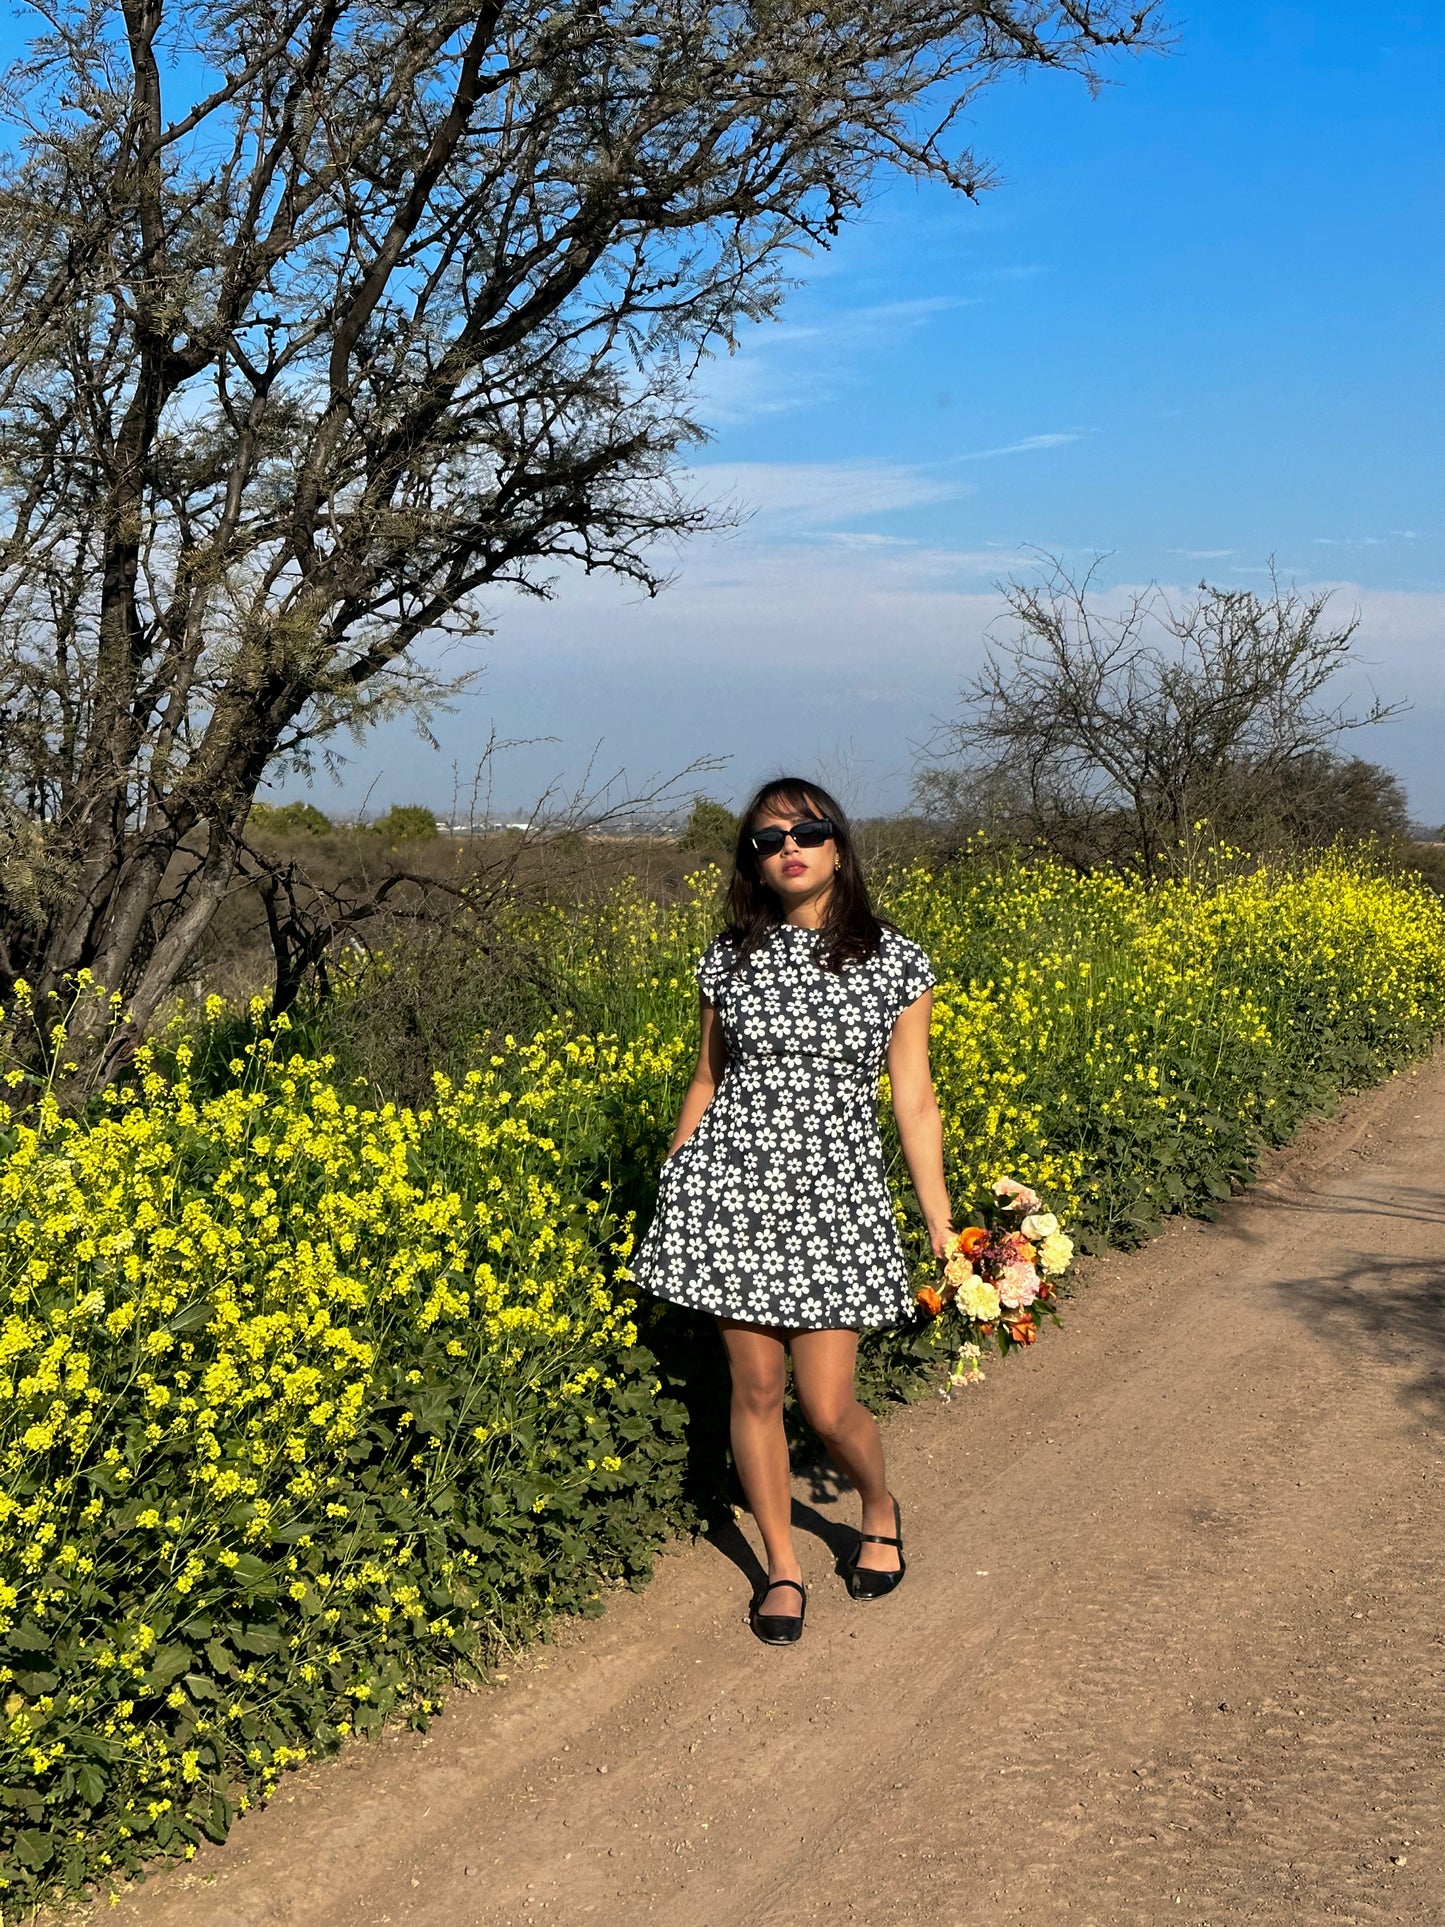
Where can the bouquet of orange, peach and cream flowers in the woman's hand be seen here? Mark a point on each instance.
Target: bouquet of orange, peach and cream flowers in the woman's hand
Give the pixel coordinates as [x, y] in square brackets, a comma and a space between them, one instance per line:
[1001, 1273]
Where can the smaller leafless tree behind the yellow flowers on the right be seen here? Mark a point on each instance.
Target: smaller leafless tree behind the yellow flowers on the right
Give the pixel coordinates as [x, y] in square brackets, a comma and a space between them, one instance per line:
[1117, 731]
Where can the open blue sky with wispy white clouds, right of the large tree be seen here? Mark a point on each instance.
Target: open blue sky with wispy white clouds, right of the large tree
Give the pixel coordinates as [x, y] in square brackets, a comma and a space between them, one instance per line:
[1195, 327]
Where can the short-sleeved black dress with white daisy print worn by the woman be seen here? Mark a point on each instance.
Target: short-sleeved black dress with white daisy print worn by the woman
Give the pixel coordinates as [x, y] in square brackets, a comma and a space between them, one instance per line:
[777, 1207]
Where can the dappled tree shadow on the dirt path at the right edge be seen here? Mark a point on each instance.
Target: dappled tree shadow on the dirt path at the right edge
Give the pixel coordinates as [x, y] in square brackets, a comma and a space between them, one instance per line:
[1396, 1307]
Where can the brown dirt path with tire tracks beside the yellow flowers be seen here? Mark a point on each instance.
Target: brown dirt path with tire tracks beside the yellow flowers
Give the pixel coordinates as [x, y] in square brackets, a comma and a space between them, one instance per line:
[1170, 1649]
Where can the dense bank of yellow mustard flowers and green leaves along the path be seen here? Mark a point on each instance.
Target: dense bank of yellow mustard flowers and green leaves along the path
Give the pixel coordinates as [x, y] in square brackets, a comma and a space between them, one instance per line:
[311, 1404]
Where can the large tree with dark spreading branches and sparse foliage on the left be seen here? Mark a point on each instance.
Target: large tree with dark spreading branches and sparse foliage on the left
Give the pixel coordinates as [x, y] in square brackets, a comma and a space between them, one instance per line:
[319, 321]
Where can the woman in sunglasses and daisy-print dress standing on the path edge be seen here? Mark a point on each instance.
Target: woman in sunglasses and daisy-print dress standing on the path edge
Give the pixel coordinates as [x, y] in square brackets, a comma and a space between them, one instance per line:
[774, 1207]
